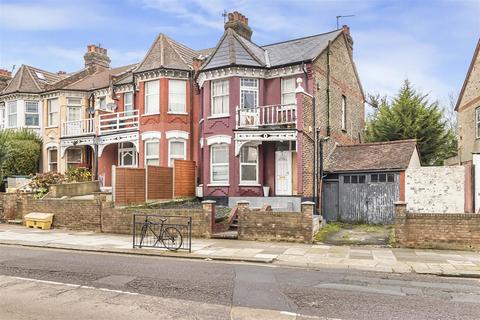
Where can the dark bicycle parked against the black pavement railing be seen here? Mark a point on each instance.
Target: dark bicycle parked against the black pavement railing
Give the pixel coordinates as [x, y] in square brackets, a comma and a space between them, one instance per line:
[170, 237]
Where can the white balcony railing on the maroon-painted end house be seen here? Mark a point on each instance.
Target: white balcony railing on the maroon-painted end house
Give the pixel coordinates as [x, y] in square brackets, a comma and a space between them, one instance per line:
[274, 115]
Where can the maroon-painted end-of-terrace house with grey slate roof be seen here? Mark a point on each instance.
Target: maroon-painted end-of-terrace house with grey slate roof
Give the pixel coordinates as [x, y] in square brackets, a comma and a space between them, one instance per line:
[265, 110]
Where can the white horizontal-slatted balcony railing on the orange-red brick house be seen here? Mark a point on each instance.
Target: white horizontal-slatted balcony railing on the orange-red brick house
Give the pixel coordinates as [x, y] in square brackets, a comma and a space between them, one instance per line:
[118, 121]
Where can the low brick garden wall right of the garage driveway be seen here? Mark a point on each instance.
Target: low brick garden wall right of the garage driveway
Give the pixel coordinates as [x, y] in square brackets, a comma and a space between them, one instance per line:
[436, 230]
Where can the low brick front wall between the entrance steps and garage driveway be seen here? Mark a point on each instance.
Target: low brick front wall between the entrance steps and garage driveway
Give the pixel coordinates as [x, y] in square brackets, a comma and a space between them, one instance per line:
[279, 226]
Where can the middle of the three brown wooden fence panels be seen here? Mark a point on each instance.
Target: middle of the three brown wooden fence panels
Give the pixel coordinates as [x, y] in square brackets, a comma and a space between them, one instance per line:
[159, 183]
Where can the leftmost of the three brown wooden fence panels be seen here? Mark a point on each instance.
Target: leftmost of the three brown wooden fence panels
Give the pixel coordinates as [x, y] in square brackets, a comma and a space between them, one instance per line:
[129, 186]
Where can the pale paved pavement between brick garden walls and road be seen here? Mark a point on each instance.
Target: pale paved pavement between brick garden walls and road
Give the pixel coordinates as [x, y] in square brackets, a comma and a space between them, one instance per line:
[315, 256]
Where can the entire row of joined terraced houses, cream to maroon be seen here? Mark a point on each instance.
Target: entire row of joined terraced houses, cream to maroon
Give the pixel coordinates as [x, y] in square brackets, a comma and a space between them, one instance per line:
[258, 120]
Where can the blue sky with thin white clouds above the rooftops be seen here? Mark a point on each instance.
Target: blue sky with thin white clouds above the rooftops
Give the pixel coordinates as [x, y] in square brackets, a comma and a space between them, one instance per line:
[430, 42]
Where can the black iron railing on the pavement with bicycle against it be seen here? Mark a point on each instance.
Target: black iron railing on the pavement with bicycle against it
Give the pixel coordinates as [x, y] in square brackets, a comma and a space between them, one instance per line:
[157, 231]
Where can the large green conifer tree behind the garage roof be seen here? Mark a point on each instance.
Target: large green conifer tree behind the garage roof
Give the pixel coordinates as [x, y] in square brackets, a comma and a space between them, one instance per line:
[410, 115]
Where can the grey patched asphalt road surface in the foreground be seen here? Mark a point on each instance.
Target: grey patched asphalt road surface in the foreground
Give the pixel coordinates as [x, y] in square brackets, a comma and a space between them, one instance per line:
[57, 284]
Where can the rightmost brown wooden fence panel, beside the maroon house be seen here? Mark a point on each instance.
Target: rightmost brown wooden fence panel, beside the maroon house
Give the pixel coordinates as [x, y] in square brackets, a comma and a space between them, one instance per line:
[184, 178]
